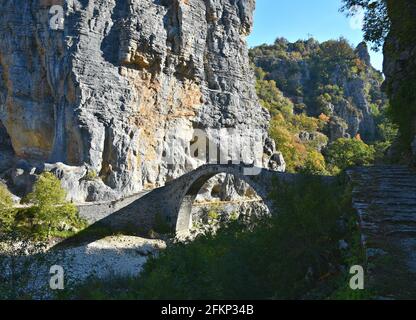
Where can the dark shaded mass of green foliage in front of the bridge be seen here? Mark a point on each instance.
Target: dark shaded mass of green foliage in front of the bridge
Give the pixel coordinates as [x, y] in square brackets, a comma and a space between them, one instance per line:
[293, 255]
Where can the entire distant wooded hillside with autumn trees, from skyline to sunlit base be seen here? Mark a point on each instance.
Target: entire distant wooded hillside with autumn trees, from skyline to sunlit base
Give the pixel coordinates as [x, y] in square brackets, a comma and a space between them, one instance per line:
[318, 93]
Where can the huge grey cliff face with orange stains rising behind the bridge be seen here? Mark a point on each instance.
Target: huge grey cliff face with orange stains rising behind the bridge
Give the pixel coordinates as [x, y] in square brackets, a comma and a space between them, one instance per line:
[121, 84]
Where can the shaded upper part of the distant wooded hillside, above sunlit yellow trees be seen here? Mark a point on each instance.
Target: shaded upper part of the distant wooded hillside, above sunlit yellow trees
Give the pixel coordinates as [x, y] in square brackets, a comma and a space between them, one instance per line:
[328, 78]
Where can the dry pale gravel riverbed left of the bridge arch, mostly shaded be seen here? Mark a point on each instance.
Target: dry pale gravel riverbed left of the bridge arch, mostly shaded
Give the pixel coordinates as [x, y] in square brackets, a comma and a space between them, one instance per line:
[111, 256]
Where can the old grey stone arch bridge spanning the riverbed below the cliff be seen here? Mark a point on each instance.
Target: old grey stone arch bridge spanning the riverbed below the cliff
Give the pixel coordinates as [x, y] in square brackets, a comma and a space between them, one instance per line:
[172, 203]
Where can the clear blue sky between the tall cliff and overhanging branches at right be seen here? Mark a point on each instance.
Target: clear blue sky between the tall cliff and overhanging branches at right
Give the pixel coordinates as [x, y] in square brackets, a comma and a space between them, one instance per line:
[300, 19]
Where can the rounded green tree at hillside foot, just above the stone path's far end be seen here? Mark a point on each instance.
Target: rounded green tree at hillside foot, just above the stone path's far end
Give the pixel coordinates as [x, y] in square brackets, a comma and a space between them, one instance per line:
[344, 153]
